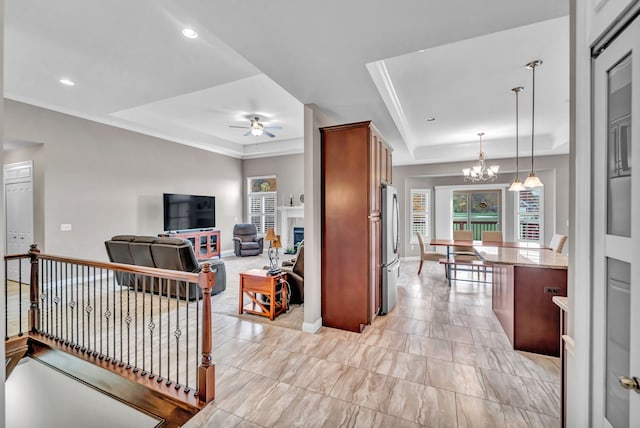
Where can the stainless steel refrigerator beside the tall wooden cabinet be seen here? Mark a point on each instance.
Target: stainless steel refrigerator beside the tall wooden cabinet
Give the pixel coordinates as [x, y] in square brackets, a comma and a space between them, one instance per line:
[390, 243]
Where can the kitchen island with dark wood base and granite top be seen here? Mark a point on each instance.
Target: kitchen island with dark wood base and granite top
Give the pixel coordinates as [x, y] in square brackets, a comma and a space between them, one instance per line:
[524, 283]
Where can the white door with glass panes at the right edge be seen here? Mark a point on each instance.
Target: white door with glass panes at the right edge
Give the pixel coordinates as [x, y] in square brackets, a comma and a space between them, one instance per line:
[616, 232]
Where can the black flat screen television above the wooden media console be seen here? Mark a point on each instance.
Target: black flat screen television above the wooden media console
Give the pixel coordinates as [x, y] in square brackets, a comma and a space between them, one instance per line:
[182, 212]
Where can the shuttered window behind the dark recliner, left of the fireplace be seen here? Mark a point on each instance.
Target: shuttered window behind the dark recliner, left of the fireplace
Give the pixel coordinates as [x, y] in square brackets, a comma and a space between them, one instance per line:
[261, 202]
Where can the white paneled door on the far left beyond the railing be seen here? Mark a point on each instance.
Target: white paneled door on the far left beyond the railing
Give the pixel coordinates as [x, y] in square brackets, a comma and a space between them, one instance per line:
[18, 192]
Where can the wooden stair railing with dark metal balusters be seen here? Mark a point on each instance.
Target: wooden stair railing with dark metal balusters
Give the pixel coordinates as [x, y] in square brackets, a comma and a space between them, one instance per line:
[68, 312]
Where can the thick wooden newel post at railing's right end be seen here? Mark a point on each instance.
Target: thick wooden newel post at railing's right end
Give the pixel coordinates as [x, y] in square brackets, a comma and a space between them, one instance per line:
[207, 369]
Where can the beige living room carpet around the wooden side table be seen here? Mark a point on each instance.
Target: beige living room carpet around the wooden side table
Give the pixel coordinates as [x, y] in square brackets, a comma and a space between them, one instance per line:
[227, 302]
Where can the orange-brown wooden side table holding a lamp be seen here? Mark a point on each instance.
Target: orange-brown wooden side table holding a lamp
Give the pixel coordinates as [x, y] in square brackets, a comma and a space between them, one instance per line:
[256, 281]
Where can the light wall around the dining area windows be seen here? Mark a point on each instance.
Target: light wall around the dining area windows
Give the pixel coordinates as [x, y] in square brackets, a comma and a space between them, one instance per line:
[552, 170]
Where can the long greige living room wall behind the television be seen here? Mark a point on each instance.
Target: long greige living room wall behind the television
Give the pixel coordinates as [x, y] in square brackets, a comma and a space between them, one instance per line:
[106, 181]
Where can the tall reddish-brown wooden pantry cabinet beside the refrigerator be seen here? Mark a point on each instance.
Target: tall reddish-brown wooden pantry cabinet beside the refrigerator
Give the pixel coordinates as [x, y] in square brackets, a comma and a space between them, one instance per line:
[355, 163]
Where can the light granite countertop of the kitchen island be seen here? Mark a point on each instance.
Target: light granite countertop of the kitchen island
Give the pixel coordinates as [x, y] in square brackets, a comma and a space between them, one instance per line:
[523, 257]
